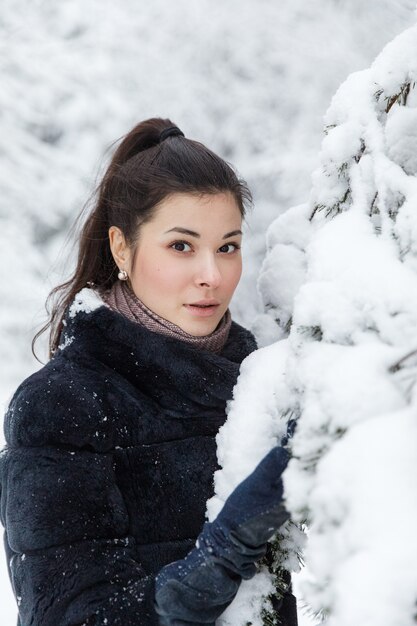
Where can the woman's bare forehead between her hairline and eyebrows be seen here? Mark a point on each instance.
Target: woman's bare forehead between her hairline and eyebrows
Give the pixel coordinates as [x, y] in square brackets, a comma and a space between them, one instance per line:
[217, 211]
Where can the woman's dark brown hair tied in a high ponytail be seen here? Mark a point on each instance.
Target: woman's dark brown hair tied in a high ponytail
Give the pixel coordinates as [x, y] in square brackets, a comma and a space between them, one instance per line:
[141, 174]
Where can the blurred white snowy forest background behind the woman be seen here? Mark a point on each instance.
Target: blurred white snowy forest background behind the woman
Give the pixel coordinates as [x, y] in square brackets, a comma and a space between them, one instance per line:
[250, 78]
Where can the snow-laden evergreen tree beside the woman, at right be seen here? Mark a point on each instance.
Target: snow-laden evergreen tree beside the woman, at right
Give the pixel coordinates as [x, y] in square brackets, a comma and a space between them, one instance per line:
[339, 285]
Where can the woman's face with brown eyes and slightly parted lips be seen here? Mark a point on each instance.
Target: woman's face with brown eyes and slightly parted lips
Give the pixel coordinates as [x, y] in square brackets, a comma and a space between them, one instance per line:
[187, 261]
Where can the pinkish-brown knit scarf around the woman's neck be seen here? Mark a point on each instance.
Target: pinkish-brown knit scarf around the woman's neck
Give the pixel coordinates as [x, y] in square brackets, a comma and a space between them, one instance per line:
[122, 299]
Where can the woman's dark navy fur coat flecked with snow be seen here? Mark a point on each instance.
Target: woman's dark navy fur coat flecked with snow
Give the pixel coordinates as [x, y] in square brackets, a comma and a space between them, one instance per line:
[108, 466]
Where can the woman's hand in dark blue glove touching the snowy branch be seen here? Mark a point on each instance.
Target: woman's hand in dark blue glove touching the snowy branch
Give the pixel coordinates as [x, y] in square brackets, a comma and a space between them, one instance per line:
[197, 589]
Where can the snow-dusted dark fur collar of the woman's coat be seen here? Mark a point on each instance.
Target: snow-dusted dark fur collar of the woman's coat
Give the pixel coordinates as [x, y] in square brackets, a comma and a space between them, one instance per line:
[182, 379]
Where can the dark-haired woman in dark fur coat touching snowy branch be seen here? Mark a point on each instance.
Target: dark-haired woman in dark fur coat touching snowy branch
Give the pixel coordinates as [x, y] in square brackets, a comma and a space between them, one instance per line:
[111, 445]
